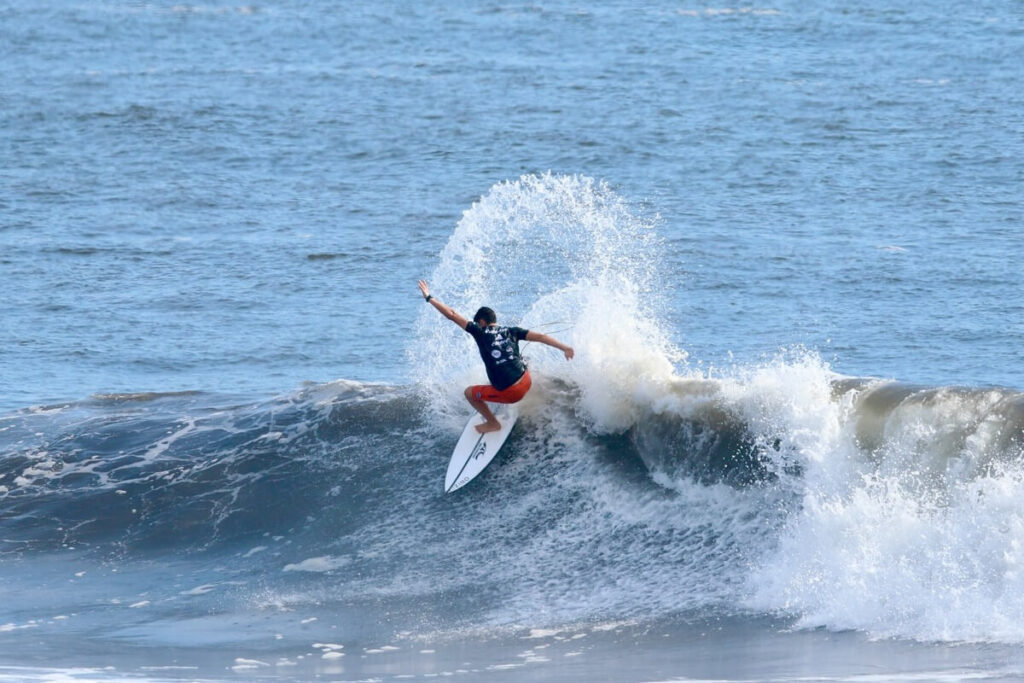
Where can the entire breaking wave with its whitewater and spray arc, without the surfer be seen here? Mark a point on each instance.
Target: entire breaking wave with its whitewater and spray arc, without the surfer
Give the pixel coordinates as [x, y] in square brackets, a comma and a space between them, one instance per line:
[632, 489]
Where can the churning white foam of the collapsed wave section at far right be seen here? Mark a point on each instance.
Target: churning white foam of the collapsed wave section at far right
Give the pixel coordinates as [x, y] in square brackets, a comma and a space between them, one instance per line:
[911, 523]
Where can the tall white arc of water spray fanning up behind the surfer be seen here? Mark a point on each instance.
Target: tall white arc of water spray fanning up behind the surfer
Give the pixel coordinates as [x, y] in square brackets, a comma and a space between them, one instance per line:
[553, 249]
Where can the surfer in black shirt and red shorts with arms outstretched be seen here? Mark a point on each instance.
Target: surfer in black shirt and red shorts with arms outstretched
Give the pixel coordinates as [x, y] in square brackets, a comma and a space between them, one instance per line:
[500, 352]
